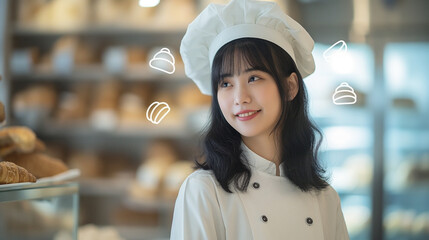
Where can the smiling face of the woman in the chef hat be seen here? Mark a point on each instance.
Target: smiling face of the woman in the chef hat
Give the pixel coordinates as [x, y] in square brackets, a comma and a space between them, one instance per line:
[250, 101]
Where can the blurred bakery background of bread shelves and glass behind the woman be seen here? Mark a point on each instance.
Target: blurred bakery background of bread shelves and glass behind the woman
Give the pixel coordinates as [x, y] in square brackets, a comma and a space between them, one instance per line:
[78, 74]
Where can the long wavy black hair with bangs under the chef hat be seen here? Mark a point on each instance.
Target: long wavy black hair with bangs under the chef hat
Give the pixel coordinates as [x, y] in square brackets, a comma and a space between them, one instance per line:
[221, 150]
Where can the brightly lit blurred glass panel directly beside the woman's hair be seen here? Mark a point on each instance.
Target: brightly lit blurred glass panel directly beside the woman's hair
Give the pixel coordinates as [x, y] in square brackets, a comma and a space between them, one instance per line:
[347, 127]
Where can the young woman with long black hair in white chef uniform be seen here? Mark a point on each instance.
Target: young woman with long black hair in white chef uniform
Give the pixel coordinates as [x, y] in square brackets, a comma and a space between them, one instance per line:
[260, 177]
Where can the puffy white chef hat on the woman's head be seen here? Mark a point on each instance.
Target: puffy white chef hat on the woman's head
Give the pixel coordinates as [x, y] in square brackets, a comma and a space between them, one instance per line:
[219, 24]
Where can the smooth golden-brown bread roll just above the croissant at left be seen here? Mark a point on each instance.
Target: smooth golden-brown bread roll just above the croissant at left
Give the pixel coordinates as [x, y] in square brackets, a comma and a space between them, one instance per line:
[16, 139]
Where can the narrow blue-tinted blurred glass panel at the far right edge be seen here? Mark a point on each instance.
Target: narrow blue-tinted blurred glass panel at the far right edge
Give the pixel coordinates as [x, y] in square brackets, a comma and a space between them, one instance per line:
[406, 213]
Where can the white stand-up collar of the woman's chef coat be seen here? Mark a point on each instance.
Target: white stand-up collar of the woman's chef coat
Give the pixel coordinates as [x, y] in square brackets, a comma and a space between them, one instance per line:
[259, 163]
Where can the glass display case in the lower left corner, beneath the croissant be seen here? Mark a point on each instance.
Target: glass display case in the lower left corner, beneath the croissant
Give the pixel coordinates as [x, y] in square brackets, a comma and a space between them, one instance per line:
[39, 211]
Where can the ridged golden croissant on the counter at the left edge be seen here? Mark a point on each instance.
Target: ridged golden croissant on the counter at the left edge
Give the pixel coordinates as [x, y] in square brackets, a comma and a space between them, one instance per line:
[12, 173]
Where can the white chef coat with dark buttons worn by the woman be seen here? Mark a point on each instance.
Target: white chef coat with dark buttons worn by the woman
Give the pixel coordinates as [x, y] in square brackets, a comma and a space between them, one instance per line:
[272, 208]
